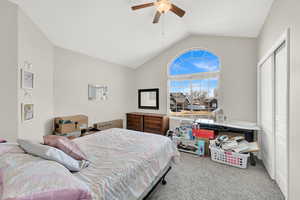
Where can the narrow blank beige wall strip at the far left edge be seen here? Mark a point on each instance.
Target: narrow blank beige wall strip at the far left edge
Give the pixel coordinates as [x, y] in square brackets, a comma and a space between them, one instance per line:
[8, 70]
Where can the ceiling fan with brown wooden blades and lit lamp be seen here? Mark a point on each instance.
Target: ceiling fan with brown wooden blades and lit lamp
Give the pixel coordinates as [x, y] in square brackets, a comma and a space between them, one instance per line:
[162, 7]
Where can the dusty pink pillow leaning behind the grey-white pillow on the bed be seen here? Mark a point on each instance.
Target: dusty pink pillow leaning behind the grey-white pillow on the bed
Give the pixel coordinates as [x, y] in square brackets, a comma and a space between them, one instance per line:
[66, 145]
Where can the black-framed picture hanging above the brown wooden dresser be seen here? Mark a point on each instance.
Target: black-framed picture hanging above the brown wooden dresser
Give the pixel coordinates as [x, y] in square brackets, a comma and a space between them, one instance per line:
[148, 99]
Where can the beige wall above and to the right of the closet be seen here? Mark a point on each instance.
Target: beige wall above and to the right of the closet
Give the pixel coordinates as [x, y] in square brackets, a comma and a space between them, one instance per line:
[285, 14]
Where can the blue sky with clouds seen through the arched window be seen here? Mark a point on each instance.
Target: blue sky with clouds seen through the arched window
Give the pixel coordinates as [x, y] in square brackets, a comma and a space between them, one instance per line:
[195, 61]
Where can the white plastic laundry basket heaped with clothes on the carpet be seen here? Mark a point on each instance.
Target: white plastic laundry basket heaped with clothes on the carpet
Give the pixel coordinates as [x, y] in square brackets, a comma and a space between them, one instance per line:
[229, 158]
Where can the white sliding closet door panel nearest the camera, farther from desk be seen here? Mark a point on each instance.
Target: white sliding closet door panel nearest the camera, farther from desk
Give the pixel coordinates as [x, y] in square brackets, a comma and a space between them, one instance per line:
[281, 117]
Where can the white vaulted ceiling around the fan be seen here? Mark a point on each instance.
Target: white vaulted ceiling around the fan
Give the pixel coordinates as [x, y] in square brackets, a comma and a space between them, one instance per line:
[109, 30]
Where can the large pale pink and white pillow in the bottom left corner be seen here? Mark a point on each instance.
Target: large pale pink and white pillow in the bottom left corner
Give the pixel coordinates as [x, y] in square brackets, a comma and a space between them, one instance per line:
[37, 179]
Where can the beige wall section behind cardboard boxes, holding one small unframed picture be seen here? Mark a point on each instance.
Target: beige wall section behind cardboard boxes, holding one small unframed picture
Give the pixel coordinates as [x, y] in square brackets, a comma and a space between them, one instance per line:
[73, 72]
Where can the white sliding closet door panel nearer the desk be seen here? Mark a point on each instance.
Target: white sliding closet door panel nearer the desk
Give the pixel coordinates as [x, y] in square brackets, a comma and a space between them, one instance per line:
[267, 114]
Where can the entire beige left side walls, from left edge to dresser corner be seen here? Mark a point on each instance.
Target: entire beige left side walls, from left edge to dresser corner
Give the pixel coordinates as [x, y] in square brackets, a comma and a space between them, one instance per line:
[21, 41]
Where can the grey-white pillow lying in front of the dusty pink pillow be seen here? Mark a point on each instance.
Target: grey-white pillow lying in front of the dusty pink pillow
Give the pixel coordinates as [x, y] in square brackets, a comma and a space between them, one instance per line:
[51, 153]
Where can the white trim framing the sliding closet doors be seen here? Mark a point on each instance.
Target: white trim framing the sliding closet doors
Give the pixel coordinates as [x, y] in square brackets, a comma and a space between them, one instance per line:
[284, 39]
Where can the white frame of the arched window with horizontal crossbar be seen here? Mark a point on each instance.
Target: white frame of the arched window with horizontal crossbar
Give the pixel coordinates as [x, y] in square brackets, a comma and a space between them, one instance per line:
[190, 77]
